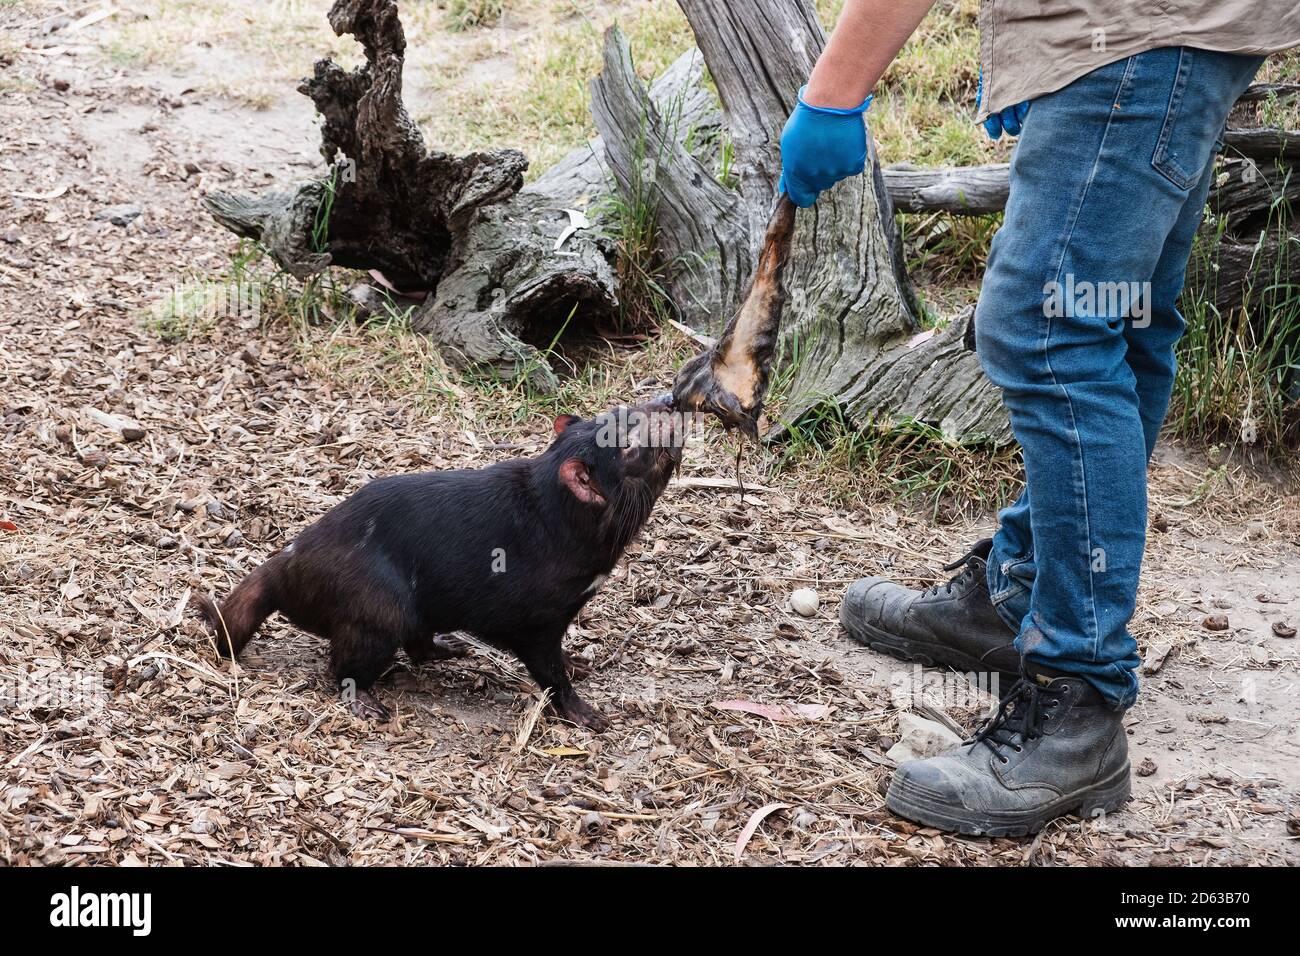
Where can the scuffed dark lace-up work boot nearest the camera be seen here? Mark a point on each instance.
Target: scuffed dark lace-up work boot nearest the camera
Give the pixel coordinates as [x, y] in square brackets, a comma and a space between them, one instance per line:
[1054, 747]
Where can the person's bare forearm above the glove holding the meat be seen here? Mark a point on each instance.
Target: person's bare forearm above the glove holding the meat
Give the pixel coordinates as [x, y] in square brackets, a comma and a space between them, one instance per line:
[866, 40]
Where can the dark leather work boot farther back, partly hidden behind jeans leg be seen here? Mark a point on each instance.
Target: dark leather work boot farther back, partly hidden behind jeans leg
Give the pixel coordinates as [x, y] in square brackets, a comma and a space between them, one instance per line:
[952, 625]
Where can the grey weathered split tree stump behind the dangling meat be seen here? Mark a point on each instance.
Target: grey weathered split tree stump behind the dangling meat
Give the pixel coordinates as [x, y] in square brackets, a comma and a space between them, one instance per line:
[850, 332]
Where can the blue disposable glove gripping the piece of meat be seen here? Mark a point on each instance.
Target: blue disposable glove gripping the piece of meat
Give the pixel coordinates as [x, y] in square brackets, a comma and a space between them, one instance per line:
[820, 148]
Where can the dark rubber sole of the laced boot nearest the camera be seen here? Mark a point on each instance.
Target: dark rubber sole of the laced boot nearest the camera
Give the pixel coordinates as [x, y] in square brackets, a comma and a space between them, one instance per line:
[913, 803]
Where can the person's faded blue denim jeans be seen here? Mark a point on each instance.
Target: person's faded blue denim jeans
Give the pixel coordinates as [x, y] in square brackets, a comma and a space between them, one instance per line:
[1077, 323]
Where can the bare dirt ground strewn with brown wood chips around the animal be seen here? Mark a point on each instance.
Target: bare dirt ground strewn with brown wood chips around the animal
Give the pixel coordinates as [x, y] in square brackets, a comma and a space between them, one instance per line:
[252, 431]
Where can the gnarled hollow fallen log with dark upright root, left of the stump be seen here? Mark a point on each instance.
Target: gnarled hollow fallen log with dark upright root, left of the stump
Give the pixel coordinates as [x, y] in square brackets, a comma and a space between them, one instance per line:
[502, 267]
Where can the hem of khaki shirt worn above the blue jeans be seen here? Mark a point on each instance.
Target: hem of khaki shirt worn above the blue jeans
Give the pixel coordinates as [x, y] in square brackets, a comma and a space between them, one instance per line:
[1034, 47]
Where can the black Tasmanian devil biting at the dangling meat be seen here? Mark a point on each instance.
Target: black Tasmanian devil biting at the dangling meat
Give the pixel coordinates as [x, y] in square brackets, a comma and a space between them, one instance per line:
[509, 553]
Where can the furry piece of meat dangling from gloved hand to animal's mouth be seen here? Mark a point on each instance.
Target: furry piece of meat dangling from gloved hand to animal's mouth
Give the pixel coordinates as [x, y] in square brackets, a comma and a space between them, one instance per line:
[730, 380]
